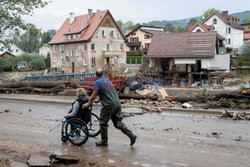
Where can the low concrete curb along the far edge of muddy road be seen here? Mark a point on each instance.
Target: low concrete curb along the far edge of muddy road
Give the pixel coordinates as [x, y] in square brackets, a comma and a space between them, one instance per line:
[164, 109]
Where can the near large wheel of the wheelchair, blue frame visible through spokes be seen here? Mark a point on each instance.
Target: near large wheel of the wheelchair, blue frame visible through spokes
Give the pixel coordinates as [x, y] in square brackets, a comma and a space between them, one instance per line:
[77, 132]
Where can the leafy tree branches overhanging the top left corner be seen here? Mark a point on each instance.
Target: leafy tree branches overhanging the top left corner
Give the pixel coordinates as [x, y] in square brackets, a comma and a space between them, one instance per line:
[11, 13]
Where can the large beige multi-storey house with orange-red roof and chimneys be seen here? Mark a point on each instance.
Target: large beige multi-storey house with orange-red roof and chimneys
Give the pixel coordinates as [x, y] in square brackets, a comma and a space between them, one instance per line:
[87, 42]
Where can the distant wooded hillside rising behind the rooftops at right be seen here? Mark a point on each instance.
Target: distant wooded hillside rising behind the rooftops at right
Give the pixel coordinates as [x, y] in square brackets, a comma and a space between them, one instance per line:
[241, 15]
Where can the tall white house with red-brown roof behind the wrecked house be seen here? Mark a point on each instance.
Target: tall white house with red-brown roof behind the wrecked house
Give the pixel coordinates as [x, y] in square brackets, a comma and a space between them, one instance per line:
[228, 27]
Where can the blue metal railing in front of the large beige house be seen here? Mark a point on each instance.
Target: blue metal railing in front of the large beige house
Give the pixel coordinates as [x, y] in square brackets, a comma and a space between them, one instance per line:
[62, 77]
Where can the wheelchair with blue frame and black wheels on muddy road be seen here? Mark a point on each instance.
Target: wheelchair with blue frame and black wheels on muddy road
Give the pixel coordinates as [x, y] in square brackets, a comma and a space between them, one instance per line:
[77, 131]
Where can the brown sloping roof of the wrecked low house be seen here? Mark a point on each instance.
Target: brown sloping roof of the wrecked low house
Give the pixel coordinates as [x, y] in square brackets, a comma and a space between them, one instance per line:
[183, 45]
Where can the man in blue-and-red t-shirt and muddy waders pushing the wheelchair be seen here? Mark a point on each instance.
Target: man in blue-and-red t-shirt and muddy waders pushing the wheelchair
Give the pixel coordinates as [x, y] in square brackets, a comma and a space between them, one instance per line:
[111, 108]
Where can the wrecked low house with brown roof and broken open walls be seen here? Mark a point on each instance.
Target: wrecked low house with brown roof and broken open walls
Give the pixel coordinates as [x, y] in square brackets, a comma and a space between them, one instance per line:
[187, 57]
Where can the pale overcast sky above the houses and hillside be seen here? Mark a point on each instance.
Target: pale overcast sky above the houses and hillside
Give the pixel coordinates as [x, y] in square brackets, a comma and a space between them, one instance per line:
[53, 15]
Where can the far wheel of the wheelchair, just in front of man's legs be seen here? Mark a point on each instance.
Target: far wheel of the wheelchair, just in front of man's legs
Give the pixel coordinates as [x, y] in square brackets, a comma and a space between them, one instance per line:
[94, 126]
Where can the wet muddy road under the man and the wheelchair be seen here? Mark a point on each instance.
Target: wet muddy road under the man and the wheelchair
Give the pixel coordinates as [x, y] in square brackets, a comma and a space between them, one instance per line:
[163, 139]
